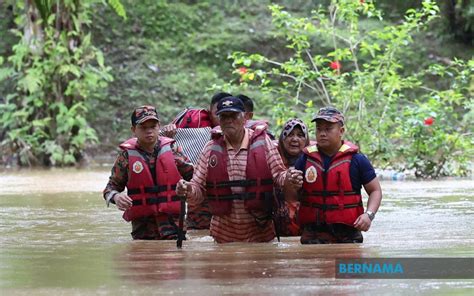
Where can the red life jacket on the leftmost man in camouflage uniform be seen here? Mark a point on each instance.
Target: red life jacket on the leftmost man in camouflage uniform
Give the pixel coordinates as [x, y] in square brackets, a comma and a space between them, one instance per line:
[151, 196]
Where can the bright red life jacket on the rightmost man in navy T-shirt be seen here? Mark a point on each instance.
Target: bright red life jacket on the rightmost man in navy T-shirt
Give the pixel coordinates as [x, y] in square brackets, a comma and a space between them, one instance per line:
[328, 196]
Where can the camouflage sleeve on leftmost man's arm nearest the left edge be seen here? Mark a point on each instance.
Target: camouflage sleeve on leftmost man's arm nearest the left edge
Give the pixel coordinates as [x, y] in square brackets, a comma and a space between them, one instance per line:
[118, 178]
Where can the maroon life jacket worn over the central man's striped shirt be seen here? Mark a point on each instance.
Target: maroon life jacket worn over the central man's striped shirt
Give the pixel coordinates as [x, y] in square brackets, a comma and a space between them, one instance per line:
[258, 185]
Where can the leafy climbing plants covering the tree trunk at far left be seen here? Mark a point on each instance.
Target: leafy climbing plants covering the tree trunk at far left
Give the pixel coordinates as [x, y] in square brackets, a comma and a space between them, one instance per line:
[56, 72]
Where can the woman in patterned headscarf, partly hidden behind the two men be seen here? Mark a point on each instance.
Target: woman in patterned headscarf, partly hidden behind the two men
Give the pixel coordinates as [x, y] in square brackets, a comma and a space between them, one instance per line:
[292, 140]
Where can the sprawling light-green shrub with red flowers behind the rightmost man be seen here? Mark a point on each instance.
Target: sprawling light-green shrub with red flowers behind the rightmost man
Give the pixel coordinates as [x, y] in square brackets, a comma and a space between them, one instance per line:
[338, 59]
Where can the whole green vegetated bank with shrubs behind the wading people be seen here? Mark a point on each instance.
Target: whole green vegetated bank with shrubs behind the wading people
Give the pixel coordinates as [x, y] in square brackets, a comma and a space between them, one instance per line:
[402, 71]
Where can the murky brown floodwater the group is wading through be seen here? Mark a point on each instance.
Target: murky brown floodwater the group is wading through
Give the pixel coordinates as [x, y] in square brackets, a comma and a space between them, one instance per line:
[59, 238]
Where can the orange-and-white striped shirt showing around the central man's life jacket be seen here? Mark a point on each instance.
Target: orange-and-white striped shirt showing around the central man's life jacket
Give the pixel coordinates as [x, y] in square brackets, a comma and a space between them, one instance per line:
[239, 225]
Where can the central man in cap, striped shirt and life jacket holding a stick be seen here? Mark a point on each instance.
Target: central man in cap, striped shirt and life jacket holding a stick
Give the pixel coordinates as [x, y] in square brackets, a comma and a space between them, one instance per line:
[236, 173]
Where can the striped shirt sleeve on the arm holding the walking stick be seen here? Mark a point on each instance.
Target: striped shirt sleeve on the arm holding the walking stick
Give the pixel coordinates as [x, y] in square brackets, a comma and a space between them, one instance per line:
[198, 182]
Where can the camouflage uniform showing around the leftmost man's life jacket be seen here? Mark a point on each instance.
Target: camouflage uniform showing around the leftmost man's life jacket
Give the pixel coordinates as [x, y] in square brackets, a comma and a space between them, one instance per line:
[155, 226]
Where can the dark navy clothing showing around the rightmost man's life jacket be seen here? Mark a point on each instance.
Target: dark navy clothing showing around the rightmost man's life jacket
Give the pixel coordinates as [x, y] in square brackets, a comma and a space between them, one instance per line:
[360, 172]
